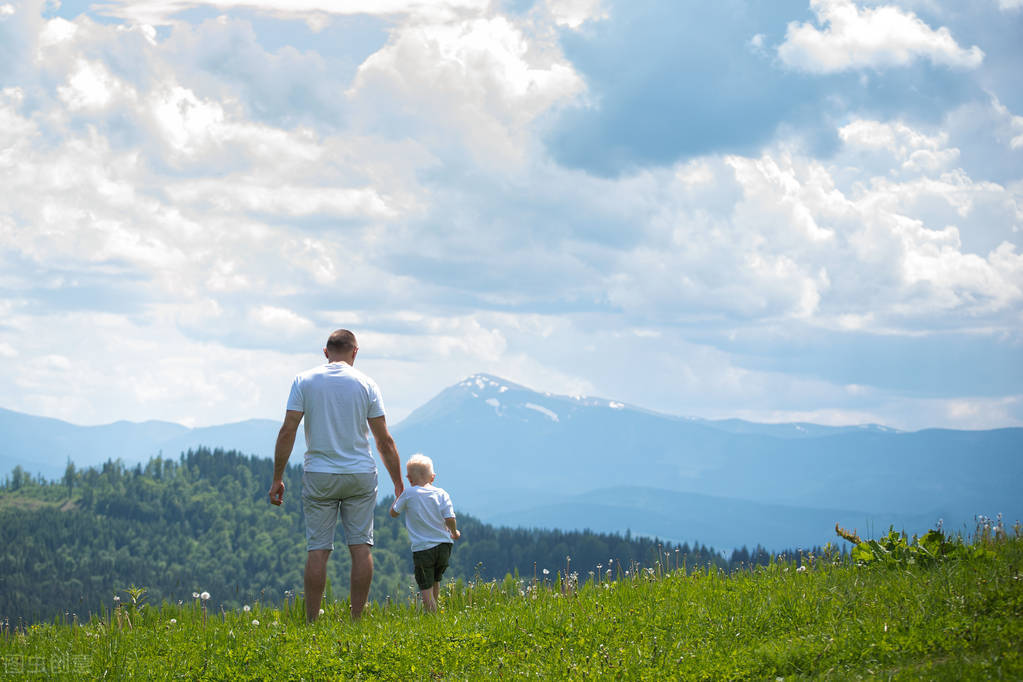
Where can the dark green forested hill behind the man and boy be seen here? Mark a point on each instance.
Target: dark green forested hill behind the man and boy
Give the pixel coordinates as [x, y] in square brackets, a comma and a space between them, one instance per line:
[203, 524]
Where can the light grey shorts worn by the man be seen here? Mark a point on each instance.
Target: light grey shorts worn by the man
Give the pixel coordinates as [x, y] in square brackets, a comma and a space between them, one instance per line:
[325, 495]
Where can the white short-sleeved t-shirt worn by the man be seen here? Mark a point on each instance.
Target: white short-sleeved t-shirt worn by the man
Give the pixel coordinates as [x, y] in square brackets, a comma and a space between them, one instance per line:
[337, 400]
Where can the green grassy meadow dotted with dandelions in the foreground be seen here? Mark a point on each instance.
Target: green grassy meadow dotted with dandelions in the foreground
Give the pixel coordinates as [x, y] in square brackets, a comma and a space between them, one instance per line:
[953, 620]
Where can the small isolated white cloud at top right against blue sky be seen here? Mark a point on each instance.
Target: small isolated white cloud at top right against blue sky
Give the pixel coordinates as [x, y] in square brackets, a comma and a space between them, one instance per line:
[850, 37]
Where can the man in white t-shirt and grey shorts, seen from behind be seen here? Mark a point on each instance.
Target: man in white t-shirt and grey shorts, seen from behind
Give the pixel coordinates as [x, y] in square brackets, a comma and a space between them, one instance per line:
[341, 406]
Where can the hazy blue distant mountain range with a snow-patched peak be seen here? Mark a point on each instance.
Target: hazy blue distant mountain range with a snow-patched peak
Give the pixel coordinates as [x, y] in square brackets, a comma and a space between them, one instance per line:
[521, 458]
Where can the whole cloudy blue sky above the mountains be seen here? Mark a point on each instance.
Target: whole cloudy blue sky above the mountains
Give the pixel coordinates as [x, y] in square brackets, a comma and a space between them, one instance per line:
[773, 210]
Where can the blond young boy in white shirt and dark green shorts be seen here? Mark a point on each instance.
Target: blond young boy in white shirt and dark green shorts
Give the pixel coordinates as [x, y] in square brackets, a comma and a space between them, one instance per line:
[430, 520]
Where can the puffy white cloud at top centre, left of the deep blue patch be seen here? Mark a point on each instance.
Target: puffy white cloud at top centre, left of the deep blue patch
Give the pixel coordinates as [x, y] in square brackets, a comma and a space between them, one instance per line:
[480, 82]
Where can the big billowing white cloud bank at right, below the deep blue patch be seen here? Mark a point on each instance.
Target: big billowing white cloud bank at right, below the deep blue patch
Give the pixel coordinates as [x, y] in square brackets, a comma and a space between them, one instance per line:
[805, 242]
